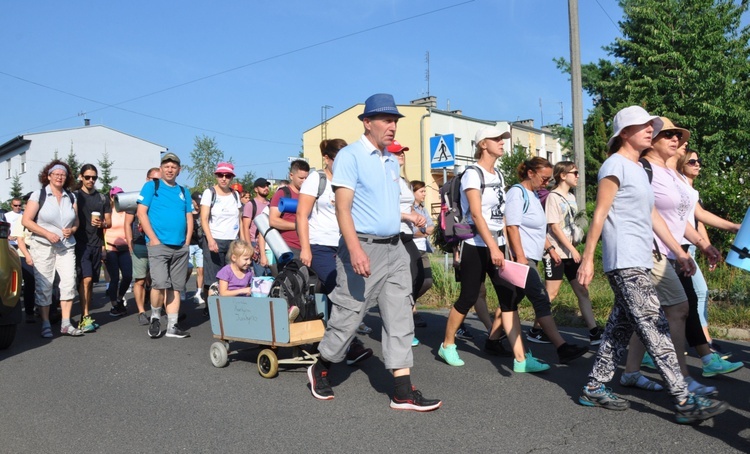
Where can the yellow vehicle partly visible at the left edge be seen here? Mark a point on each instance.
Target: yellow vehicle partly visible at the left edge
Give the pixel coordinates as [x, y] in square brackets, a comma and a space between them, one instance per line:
[10, 289]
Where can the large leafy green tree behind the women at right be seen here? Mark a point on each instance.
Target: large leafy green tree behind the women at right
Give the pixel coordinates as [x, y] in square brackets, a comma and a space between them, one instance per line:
[689, 62]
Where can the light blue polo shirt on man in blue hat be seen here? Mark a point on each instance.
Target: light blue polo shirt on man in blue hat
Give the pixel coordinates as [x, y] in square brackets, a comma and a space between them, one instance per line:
[373, 175]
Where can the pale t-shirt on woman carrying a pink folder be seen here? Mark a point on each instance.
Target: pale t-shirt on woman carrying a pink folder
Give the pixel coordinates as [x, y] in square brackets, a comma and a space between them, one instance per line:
[532, 224]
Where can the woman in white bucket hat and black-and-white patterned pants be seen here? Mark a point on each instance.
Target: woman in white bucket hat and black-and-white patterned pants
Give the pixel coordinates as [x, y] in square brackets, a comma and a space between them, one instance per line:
[626, 220]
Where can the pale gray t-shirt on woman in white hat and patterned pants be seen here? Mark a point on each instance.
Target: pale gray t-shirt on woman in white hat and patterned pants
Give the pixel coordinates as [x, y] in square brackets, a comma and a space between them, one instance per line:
[627, 237]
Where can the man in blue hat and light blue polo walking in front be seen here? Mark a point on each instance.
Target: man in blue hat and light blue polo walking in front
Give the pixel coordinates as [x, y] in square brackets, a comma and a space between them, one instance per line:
[372, 266]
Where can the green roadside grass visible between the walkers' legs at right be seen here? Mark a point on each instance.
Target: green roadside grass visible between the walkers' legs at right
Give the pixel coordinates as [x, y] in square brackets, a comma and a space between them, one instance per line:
[728, 307]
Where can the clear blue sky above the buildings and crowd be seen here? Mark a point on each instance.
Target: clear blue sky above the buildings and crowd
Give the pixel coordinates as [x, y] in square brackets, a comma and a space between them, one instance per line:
[254, 74]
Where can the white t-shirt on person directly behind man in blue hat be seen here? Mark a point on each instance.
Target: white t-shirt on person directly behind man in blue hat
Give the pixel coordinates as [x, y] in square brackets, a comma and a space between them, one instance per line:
[324, 228]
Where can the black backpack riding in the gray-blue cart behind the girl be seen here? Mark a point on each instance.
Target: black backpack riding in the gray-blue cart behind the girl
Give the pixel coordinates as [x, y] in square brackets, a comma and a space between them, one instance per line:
[296, 284]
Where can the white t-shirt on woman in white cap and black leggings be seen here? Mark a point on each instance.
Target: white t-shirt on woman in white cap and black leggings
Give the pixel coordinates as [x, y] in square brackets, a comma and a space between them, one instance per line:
[493, 201]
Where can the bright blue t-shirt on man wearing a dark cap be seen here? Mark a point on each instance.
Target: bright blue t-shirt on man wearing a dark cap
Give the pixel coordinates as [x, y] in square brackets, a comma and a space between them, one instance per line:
[166, 211]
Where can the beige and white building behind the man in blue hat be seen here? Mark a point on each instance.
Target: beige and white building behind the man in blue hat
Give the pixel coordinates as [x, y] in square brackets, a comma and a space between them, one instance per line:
[423, 120]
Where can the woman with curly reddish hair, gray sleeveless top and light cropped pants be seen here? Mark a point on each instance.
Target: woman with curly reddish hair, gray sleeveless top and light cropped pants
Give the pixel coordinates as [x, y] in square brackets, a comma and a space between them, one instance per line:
[52, 225]
